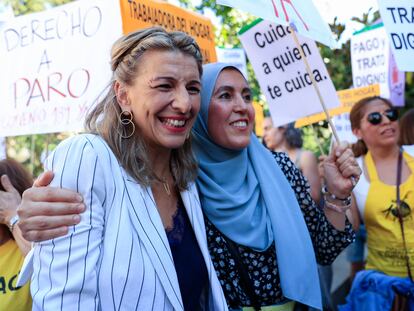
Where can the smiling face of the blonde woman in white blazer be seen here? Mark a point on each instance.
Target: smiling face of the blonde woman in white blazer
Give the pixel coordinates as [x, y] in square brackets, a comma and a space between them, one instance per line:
[164, 98]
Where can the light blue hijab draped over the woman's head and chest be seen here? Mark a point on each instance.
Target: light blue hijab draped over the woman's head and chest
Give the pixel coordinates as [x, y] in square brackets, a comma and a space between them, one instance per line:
[247, 197]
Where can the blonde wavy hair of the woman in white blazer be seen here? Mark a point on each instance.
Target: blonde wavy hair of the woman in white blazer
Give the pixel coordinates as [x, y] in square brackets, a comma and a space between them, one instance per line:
[104, 118]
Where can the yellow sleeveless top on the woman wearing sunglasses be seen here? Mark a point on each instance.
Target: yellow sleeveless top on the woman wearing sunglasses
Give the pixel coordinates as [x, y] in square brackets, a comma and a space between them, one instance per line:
[385, 243]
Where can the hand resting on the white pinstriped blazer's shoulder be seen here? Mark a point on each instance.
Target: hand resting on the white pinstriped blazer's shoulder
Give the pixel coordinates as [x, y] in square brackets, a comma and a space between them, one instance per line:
[47, 212]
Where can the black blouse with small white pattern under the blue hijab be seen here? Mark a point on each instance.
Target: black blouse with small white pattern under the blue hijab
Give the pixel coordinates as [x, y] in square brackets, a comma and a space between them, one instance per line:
[262, 266]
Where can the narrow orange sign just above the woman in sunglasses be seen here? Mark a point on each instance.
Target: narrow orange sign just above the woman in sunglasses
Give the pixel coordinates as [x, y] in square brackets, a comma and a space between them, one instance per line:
[347, 99]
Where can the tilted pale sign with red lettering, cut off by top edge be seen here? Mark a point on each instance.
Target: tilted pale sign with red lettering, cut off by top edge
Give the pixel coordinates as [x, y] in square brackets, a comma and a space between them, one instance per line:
[303, 15]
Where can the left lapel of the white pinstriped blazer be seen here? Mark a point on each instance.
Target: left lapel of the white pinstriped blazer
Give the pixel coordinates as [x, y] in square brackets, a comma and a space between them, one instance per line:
[148, 225]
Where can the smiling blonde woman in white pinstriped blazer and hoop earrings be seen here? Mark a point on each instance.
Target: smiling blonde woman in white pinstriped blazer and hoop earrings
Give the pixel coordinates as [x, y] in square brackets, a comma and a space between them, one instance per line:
[135, 171]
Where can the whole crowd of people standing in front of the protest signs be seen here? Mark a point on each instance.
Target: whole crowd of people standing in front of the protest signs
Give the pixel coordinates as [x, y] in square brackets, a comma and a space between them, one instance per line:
[169, 201]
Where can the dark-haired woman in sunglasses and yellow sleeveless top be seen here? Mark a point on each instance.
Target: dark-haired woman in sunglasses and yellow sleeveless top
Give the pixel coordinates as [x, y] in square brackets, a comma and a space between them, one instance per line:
[390, 231]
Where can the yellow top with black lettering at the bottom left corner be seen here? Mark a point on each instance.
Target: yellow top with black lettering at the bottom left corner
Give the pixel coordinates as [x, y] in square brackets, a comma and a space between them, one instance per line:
[12, 297]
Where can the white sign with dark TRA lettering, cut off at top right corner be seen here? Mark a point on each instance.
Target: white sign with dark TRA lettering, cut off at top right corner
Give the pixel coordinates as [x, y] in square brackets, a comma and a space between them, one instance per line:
[398, 18]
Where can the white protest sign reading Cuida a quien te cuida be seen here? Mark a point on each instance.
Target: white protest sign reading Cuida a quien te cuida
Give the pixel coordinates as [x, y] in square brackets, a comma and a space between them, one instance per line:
[281, 72]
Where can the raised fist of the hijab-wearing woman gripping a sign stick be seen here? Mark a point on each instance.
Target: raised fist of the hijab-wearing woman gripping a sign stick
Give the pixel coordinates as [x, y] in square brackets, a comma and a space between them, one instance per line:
[341, 171]
